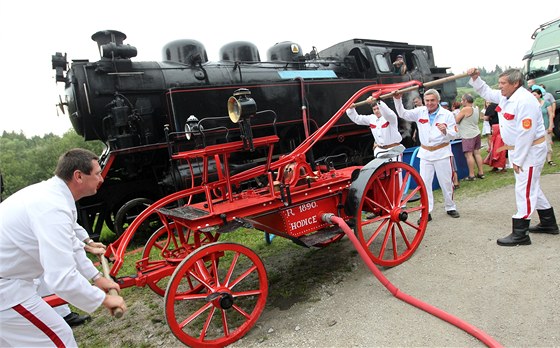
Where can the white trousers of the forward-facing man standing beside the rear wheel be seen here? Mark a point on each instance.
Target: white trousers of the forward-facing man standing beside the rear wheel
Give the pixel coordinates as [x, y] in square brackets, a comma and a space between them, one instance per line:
[443, 168]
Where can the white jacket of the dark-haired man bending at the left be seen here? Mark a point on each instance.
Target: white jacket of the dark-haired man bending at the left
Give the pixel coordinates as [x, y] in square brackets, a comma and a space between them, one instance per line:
[37, 236]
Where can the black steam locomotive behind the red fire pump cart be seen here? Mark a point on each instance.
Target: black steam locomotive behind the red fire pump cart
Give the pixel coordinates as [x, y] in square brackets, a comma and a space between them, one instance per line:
[134, 107]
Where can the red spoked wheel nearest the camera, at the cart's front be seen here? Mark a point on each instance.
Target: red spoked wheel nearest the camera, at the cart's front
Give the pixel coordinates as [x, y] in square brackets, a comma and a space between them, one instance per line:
[229, 304]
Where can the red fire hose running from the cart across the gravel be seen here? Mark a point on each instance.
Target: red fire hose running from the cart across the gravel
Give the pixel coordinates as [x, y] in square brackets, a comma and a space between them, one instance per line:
[470, 329]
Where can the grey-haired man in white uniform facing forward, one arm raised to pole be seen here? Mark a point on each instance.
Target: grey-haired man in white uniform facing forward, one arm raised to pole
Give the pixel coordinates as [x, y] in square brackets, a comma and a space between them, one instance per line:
[436, 128]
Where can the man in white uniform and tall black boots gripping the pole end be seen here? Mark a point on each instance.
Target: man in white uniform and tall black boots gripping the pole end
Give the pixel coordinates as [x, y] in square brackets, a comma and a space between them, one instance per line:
[522, 129]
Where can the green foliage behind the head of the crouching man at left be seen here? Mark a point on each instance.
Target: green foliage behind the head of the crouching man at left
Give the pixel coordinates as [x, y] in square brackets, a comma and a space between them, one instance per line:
[26, 161]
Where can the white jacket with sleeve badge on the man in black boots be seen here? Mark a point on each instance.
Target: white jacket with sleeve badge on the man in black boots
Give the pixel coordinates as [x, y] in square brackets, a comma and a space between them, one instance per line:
[521, 123]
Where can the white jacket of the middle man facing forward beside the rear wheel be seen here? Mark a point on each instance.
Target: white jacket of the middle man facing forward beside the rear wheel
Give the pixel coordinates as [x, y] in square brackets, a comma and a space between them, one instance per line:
[429, 134]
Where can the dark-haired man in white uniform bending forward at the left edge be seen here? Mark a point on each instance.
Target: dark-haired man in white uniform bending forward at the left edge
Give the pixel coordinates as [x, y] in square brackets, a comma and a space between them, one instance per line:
[38, 239]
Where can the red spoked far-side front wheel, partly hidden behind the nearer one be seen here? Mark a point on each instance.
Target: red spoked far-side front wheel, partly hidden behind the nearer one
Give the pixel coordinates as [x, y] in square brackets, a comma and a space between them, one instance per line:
[166, 248]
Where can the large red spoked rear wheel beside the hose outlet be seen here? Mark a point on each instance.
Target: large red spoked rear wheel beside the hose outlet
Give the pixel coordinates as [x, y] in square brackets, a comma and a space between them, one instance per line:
[387, 226]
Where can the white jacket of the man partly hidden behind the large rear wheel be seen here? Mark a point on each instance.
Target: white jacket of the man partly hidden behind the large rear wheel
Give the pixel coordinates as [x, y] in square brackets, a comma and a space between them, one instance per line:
[385, 129]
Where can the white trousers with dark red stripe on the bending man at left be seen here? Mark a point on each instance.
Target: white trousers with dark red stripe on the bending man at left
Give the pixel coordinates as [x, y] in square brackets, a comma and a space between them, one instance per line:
[34, 323]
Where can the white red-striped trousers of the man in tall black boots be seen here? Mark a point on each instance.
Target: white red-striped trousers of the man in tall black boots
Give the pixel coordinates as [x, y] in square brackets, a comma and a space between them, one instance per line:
[528, 193]
